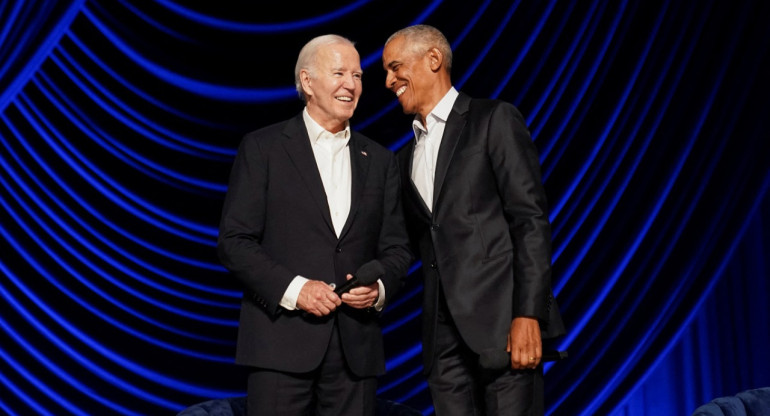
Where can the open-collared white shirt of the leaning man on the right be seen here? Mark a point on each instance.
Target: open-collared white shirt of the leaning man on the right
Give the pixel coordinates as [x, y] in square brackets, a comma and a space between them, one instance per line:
[427, 143]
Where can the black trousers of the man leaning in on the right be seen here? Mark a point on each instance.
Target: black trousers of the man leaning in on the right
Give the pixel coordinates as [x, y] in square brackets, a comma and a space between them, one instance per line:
[460, 387]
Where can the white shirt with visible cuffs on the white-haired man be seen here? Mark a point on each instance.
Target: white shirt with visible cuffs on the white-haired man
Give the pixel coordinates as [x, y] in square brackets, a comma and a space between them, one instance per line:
[332, 156]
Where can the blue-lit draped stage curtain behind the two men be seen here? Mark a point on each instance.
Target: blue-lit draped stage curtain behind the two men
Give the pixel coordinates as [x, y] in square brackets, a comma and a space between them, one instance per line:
[119, 120]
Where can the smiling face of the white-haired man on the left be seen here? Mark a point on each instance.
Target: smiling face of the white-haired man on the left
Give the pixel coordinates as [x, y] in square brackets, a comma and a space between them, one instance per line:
[333, 85]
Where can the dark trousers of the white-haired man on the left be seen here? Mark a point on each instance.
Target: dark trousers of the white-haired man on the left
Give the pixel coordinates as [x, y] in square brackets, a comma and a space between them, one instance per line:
[329, 390]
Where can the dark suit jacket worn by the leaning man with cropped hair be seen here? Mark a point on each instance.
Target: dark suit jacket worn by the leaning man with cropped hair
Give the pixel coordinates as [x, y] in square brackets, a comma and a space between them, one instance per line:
[488, 238]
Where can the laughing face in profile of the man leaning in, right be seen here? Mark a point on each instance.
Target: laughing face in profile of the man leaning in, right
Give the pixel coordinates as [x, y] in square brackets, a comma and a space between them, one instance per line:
[414, 75]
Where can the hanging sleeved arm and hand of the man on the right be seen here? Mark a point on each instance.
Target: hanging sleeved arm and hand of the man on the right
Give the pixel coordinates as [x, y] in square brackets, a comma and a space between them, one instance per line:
[517, 168]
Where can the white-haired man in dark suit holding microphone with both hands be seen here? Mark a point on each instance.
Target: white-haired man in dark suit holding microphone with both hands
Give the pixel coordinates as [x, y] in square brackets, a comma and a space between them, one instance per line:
[312, 204]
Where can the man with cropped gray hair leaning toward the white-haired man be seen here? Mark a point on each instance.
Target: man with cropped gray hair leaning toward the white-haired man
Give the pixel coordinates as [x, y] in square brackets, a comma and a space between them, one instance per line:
[476, 211]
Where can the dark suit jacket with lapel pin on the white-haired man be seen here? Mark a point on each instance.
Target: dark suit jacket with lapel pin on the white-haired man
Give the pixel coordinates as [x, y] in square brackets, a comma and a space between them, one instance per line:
[276, 225]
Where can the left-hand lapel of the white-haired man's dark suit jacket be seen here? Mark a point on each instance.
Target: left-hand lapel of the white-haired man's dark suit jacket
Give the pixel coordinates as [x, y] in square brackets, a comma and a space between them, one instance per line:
[297, 145]
